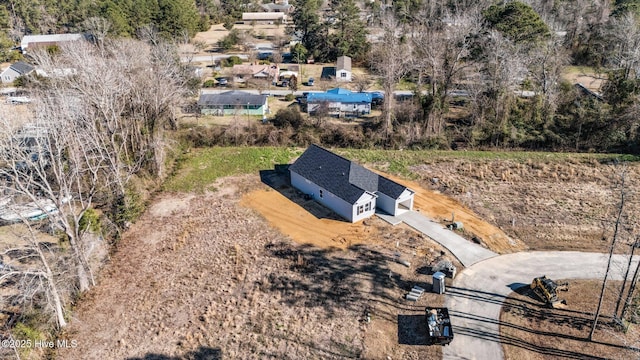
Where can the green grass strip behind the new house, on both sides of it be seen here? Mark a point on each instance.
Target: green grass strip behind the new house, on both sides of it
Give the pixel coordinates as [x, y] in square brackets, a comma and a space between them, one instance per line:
[201, 167]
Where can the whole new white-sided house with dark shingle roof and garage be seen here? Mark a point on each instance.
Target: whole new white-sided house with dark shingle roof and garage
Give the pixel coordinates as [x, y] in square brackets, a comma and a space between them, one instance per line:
[350, 190]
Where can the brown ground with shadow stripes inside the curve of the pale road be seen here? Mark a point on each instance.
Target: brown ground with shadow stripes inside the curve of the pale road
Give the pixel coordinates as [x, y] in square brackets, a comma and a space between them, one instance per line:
[531, 331]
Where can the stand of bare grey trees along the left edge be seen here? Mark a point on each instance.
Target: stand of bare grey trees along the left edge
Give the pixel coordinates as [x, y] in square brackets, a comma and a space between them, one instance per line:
[96, 141]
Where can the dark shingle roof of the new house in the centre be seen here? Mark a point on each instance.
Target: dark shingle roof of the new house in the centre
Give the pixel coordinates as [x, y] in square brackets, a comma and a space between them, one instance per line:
[342, 177]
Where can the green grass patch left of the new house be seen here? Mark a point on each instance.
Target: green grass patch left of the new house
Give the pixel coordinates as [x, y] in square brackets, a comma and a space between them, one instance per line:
[202, 167]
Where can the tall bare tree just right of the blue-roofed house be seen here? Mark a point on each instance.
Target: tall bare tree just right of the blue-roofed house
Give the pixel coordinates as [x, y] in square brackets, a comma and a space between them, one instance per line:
[390, 58]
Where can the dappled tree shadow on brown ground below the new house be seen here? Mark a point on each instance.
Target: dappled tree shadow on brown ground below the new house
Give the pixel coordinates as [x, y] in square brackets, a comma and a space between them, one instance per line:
[335, 279]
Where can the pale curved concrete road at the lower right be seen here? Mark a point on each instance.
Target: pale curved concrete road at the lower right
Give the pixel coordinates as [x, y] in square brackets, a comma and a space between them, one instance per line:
[476, 296]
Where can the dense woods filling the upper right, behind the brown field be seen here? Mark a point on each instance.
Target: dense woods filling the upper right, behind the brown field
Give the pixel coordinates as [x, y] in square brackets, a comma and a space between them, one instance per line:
[508, 57]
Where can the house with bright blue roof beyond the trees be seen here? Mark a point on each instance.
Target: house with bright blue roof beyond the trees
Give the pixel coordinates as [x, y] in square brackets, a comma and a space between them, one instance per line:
[339, 102]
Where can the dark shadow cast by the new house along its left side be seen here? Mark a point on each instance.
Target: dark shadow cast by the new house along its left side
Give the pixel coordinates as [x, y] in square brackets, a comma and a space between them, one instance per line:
[280, 180]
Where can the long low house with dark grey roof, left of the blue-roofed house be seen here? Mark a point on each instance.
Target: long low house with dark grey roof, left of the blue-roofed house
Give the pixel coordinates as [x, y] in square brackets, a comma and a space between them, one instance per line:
[233, 103]
